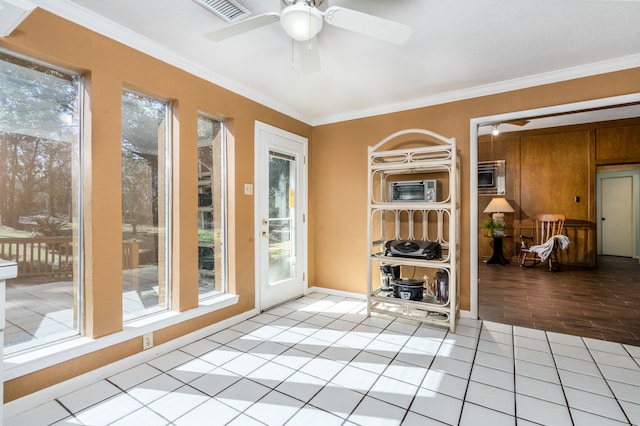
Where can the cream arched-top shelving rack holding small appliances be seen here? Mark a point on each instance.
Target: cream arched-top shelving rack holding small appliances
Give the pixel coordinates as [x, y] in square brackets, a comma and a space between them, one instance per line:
[434, 157]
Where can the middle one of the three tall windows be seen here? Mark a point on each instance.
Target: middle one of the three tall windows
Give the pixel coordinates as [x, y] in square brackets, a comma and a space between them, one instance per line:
[145, 204]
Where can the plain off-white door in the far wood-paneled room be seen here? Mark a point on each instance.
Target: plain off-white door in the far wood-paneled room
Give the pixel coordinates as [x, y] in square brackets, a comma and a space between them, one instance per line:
[616, 221]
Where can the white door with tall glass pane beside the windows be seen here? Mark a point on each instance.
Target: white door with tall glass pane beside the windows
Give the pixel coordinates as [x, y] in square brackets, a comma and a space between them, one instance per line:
[281, 204]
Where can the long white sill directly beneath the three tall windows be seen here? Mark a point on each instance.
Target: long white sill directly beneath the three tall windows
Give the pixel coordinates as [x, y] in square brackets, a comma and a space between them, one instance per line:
[20, 364]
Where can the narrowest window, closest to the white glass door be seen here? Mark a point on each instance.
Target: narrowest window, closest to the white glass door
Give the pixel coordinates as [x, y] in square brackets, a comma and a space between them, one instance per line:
[211, 208]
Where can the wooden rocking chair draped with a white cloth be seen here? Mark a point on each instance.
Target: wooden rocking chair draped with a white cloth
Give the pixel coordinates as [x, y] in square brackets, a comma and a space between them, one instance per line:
[546, 240]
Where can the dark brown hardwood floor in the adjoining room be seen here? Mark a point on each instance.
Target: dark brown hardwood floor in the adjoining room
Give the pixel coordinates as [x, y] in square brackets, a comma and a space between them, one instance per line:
[603, 303]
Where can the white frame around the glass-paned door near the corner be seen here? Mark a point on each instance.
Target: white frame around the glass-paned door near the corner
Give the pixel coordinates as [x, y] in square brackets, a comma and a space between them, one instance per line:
[302, 198]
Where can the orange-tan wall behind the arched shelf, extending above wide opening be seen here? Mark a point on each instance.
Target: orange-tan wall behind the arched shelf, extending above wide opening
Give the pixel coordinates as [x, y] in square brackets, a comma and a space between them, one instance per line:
[338, 169]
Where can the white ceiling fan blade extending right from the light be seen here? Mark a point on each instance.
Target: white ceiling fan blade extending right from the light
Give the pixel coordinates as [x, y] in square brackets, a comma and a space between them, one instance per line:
[369, 25]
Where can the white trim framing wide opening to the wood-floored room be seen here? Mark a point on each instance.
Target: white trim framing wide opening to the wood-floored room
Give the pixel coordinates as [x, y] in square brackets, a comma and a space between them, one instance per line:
[474, 123]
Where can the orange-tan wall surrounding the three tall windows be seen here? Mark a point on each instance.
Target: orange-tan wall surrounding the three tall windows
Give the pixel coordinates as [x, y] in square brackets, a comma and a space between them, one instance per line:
[108, 67]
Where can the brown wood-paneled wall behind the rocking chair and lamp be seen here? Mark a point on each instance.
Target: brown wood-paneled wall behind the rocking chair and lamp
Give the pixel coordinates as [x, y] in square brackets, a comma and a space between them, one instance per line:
[554, 171]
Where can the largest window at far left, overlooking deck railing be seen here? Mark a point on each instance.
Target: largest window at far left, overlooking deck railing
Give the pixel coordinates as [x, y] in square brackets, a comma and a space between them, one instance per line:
[39, 201]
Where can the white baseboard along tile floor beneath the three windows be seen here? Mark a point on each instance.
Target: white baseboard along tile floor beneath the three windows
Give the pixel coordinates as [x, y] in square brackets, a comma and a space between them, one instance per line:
[35, 399]
